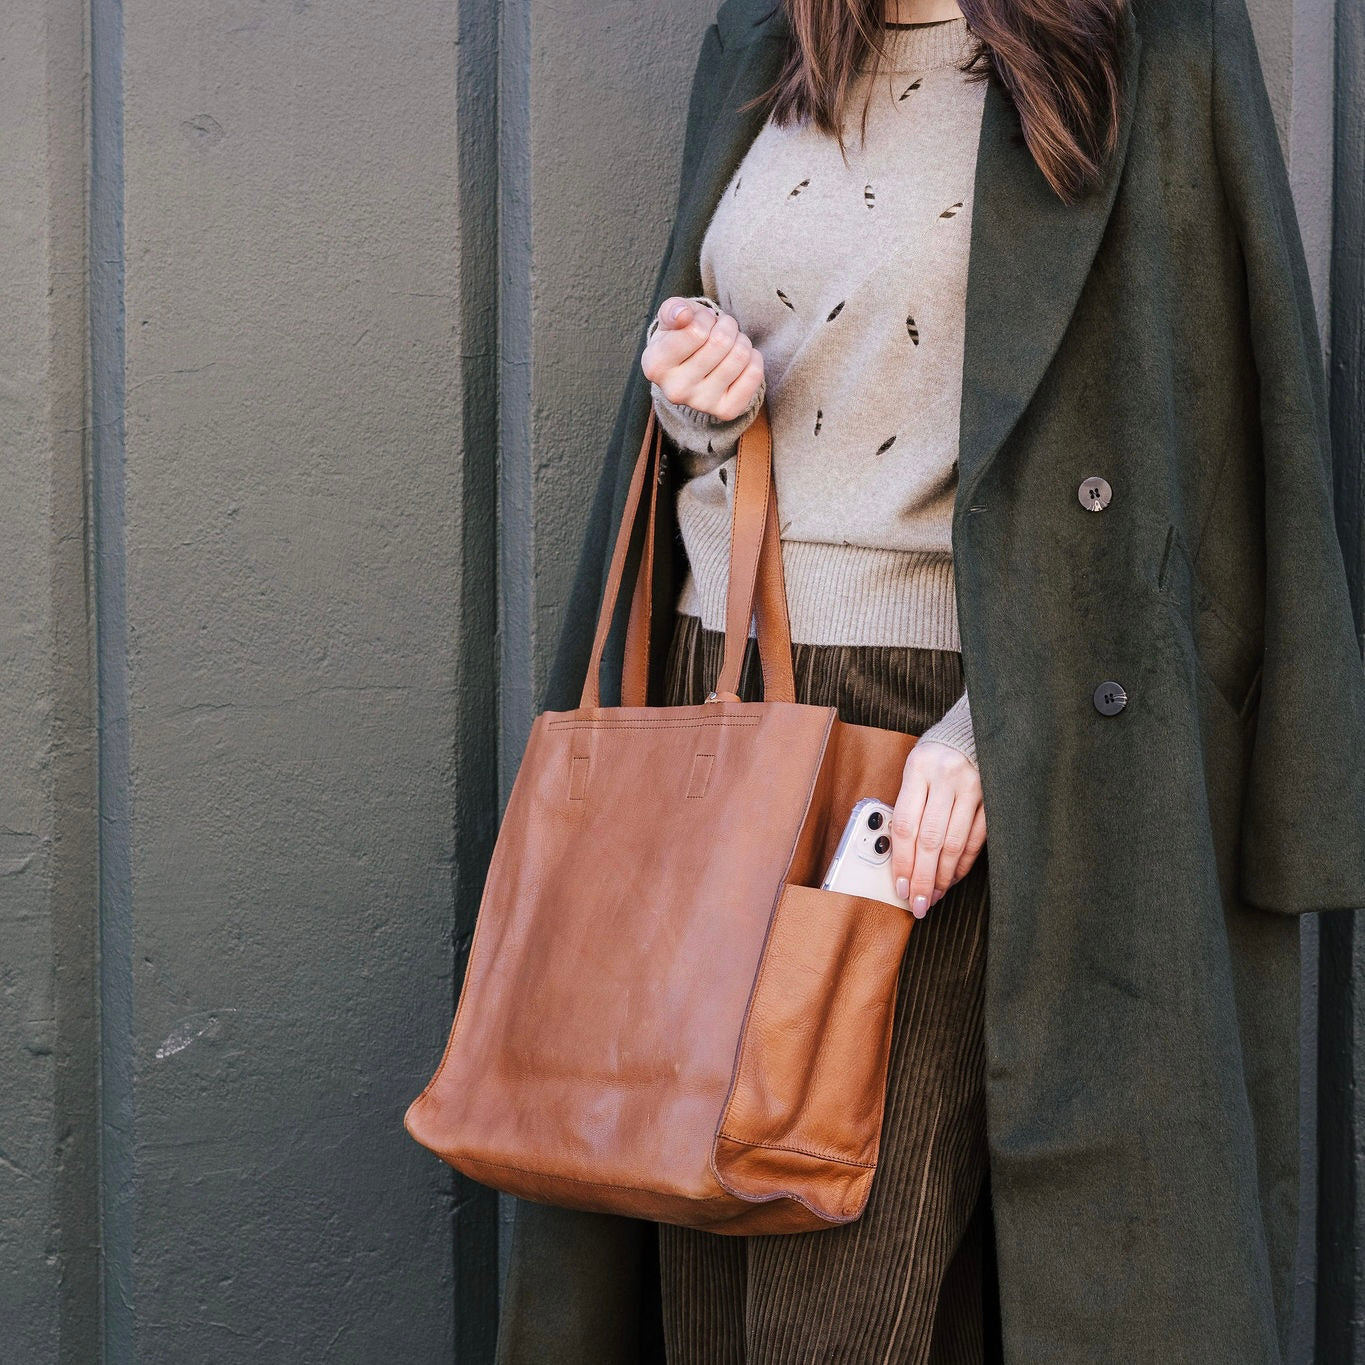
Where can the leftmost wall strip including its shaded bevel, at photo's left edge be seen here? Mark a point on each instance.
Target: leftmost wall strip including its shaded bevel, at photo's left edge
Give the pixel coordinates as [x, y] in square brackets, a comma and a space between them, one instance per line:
[47, 829]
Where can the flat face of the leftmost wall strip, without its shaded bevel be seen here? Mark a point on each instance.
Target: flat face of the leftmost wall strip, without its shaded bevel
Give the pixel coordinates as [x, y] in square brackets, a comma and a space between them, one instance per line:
[27, 919]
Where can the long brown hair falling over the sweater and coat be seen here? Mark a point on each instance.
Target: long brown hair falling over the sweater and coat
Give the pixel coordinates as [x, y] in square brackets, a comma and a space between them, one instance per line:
[1060, 61]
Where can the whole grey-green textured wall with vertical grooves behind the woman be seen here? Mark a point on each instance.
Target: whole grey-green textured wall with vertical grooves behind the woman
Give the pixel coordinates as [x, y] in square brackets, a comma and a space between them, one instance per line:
[315, 317]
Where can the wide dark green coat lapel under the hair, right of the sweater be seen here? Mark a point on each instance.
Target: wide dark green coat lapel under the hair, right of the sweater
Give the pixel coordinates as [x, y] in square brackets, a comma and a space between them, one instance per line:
[1030, 260]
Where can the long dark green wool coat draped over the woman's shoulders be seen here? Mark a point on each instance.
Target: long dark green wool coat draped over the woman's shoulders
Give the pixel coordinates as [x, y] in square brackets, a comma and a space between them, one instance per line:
[1149, 867]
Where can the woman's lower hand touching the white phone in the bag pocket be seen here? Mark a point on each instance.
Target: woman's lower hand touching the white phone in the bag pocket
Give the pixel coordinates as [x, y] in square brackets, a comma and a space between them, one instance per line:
[940, 824]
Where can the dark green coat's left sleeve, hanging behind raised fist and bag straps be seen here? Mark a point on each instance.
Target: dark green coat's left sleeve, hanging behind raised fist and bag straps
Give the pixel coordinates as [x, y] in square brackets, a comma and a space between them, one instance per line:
[614, 474]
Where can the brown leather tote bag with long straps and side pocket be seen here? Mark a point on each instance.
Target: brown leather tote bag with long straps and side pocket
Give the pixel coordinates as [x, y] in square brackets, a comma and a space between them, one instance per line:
[664, 1016]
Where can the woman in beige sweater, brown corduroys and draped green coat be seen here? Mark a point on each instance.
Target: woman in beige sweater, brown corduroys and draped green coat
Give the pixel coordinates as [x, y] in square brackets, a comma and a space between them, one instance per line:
[1154, 631]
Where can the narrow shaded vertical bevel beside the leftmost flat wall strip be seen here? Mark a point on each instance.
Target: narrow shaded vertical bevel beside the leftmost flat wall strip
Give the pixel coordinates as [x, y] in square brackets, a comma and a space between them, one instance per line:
[74, 889]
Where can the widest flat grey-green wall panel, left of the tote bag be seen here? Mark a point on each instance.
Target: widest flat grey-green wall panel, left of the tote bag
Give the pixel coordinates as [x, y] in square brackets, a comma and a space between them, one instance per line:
[293, 545]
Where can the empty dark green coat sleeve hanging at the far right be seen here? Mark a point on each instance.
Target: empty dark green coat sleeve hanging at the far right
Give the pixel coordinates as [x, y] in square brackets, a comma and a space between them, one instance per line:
[1303, 844]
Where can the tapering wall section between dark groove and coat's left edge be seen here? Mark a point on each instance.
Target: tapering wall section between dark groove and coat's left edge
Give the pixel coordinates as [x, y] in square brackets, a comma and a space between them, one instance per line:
[607, 109]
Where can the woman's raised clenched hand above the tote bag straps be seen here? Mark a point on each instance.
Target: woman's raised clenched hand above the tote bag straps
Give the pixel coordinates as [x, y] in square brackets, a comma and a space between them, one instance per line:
[702, 360]
